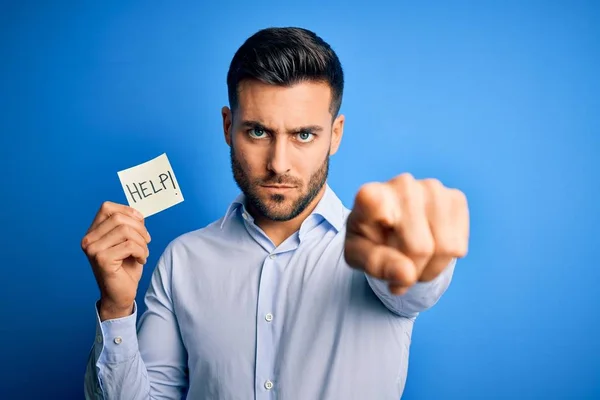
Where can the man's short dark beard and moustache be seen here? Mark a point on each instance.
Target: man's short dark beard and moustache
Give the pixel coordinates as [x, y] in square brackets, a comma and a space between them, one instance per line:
[274, 208]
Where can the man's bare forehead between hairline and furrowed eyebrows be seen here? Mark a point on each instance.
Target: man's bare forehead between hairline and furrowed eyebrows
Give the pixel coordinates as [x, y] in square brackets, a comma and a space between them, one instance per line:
[300, 104]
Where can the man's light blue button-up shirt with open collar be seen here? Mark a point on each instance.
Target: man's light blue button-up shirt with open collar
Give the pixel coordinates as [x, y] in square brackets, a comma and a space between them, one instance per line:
[231, 316]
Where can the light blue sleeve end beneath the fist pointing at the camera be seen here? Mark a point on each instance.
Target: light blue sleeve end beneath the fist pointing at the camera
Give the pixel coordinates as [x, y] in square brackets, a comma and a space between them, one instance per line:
[420, 297]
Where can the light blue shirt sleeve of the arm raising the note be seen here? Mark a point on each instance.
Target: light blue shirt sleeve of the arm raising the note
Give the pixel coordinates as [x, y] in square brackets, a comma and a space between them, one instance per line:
[144, 362]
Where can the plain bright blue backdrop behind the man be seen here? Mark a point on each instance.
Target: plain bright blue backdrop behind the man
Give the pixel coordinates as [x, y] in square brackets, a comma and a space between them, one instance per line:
[499, 99]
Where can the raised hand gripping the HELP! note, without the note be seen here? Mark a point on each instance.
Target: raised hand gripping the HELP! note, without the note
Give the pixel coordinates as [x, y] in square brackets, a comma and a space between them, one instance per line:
[116, 245]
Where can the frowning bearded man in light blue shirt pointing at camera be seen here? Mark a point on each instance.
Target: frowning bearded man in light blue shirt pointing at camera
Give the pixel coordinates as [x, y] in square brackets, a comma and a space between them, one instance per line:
[289, 295]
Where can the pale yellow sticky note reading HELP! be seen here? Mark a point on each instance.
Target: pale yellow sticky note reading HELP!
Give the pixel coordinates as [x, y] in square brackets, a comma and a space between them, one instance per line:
[151, 187]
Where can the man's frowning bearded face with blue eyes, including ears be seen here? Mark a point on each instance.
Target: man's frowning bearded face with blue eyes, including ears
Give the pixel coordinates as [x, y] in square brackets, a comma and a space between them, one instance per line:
[280, 140]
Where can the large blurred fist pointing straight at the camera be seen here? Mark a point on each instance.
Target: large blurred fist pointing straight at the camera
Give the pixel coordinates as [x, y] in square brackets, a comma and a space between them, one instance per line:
[406, 230]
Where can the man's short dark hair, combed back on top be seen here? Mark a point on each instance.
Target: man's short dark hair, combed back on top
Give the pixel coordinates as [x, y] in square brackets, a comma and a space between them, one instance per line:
[285, 56]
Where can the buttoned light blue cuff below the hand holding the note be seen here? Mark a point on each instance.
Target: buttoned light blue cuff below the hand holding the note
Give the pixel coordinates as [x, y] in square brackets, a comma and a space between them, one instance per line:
[116, 339]
